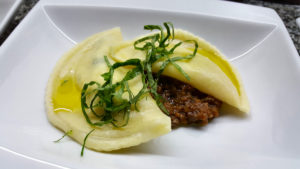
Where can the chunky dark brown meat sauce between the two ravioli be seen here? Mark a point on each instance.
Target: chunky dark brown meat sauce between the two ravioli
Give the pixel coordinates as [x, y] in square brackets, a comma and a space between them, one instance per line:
[186, 104]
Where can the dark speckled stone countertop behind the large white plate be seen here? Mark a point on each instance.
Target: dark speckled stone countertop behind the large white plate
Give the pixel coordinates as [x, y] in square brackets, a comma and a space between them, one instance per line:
[288, 14]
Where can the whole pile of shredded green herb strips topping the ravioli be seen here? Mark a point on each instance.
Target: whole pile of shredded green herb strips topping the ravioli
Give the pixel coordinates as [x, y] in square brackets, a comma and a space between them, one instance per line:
[107, 101]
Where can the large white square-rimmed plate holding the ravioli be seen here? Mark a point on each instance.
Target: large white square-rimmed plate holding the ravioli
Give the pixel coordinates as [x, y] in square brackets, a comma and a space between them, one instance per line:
[254, 38]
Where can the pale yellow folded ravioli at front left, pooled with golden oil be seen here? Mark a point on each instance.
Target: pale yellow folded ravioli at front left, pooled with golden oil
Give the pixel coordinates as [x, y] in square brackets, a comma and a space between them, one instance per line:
[81, 65]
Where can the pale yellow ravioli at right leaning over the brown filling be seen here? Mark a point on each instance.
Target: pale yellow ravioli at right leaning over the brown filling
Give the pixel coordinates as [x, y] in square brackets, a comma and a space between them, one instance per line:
[209, 70]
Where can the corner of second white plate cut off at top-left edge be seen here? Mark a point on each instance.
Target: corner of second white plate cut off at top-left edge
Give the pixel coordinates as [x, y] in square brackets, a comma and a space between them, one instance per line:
[7, 10]
